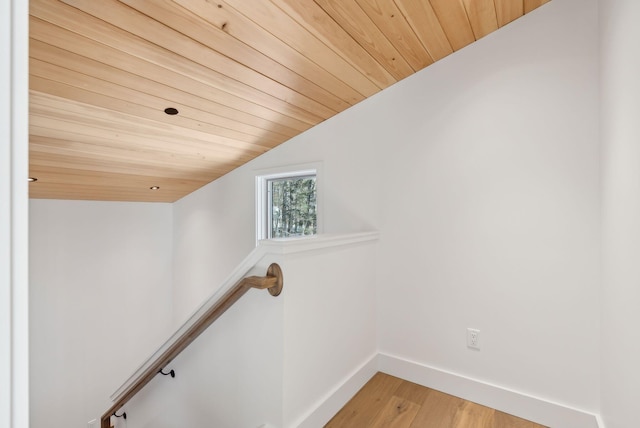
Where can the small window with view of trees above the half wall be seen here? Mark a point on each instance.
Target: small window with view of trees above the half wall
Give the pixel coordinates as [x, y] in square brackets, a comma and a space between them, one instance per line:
[287, 205]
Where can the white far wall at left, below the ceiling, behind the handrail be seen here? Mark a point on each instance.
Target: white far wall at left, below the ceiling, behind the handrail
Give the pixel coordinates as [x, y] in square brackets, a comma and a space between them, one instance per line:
[100, 302]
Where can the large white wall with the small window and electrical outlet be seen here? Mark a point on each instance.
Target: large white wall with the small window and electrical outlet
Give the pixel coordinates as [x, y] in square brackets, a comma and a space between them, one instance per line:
[482, 175]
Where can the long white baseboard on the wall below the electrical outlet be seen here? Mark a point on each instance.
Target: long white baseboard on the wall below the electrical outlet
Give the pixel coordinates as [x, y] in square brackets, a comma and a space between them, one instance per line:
[535, 409]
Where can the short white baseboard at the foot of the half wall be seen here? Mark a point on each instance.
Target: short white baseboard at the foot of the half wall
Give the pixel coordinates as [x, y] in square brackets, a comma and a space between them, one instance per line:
[336, 399]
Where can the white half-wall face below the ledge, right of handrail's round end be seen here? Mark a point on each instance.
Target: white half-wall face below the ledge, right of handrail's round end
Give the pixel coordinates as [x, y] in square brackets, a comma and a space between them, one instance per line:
[329, 326]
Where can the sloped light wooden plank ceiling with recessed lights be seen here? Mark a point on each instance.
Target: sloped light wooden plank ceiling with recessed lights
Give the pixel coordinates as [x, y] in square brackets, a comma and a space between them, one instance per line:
[245, 76]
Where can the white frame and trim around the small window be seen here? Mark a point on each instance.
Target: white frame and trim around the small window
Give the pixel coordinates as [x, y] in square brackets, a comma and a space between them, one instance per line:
[262, 198]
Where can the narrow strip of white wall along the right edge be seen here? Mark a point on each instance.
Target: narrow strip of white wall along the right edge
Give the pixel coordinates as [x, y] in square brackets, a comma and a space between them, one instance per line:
[620, 68]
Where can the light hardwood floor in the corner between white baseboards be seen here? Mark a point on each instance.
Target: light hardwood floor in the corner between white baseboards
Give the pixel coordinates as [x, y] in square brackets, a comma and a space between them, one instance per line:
[386, 401]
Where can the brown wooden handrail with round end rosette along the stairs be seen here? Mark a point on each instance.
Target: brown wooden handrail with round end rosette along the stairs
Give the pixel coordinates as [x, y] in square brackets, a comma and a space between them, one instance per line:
[273, 282]
